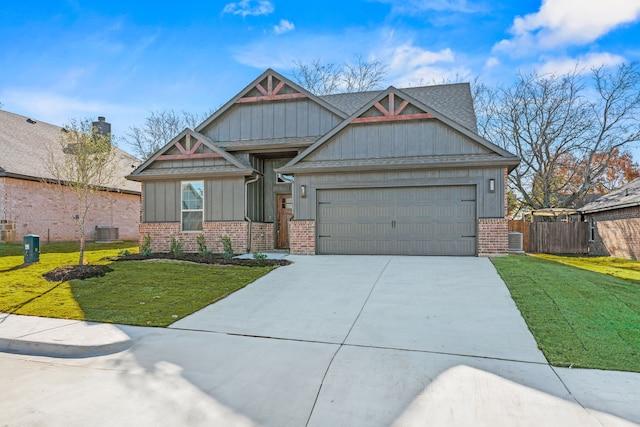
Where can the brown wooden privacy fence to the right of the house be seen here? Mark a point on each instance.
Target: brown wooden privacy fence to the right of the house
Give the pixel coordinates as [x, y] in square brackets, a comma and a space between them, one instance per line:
[553, 237]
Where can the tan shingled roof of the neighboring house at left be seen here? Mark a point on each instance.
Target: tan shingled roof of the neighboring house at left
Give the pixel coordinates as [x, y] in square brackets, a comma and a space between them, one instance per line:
[23, 149]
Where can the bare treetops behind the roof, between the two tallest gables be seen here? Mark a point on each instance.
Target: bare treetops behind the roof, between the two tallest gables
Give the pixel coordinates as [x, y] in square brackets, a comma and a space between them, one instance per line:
[325, 79]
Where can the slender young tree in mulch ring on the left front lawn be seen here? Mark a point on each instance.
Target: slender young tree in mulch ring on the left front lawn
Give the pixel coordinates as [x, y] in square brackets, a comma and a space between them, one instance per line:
[83, 165]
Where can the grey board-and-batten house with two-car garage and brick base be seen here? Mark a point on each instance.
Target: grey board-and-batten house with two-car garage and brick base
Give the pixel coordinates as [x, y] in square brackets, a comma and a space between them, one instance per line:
[394, 171]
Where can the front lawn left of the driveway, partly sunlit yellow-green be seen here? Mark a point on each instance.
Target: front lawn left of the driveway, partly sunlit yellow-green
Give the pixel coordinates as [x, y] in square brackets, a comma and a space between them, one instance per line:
[135, 293]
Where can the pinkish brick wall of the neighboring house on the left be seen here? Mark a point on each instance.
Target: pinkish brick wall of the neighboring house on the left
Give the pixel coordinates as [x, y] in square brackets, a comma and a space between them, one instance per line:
[35, 207]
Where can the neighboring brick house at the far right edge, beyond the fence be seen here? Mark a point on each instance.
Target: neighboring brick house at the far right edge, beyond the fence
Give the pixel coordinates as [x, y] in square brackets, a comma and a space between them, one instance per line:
[615, 222]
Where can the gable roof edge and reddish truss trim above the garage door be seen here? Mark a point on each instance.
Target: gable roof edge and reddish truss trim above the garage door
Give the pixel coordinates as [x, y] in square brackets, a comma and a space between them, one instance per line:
[498, 155]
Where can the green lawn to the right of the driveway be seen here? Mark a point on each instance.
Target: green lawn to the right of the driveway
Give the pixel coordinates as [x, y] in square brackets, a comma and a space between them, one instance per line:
[579, 318]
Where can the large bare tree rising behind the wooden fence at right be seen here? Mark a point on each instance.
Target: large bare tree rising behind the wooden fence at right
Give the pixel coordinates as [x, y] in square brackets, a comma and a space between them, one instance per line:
[546, 119]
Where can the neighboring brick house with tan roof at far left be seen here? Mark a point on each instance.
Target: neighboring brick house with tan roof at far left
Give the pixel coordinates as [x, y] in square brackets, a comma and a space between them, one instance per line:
[31, 204]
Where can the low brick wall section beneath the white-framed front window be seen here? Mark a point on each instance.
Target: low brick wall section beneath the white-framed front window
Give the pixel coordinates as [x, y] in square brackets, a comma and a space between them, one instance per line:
[161, 233]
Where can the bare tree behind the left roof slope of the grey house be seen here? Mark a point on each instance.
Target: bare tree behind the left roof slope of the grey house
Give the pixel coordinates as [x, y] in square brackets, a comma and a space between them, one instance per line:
[160, 128]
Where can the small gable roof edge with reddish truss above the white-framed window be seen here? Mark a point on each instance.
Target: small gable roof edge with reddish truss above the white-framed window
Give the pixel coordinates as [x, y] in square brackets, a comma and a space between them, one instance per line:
[234, 167]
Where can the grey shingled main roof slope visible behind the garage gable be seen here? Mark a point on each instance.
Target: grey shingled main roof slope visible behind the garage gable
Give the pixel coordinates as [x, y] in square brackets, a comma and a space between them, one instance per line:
[453, 100]
